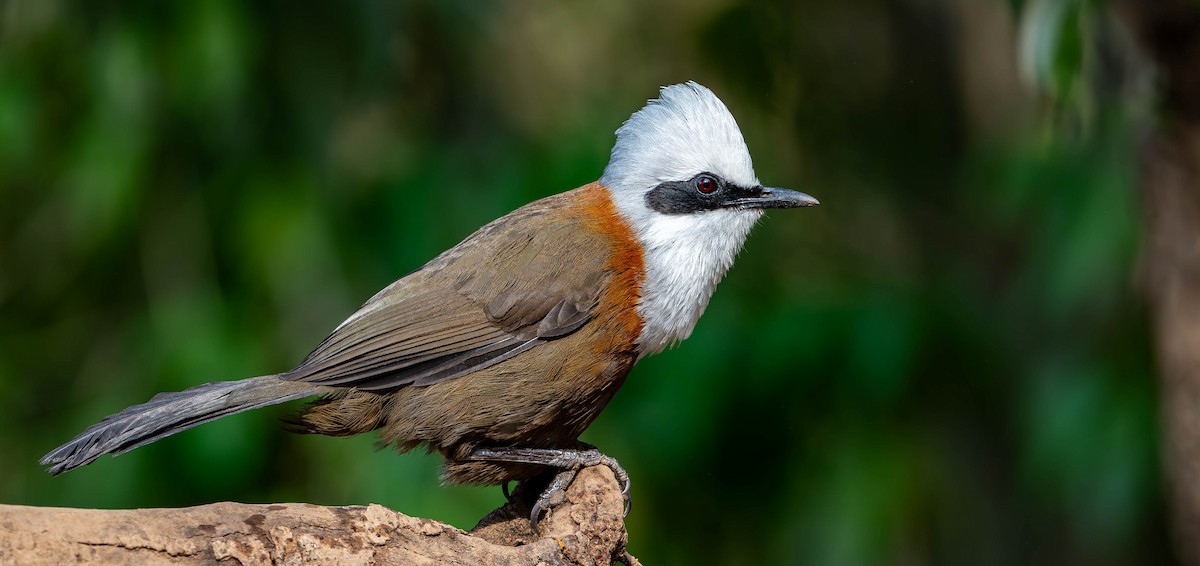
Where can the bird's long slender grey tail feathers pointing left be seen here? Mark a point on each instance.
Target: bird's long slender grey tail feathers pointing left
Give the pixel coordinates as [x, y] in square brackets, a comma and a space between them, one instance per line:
[167, 414]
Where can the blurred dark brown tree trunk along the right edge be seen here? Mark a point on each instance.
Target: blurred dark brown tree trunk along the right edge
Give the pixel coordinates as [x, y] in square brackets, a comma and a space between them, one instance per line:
[1169, 33]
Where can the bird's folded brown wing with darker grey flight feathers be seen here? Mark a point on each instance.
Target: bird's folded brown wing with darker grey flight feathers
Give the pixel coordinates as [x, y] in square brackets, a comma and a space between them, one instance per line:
[524, 280]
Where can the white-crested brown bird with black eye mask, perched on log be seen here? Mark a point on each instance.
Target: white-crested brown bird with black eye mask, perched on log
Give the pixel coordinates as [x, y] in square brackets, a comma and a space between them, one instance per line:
[502, 351]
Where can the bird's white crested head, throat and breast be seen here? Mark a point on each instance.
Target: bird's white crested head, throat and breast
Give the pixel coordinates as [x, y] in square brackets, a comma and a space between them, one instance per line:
[689, 243]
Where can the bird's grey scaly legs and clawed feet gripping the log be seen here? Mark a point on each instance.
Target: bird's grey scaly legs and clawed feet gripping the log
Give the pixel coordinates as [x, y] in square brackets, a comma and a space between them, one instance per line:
[569, 462]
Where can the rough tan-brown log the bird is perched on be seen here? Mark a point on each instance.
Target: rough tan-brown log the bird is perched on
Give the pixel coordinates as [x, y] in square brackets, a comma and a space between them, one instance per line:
[586, 529]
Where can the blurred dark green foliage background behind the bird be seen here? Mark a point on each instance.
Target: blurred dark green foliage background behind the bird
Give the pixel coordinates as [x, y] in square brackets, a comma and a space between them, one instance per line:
[947, 363]
